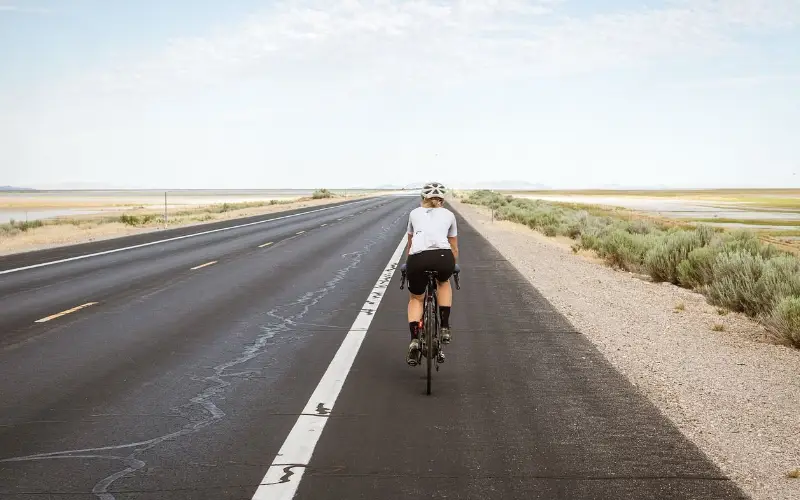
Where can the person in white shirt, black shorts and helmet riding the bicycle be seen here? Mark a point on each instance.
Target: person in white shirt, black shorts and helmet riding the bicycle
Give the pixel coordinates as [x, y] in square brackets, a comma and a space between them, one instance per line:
[432, 246]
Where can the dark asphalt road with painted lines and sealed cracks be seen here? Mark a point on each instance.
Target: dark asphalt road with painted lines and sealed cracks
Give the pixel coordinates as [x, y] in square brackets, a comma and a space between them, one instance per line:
[177, 381]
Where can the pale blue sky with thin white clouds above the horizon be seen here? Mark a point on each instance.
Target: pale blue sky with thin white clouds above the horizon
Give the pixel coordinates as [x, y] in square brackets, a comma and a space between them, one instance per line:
[361, 93]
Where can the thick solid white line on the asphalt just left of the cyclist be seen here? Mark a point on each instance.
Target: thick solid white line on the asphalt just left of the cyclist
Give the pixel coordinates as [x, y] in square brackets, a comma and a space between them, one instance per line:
[283, 476]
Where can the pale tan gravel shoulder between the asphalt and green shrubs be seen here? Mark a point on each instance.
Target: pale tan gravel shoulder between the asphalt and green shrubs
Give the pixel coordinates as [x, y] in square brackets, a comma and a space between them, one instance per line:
[734, 394]
